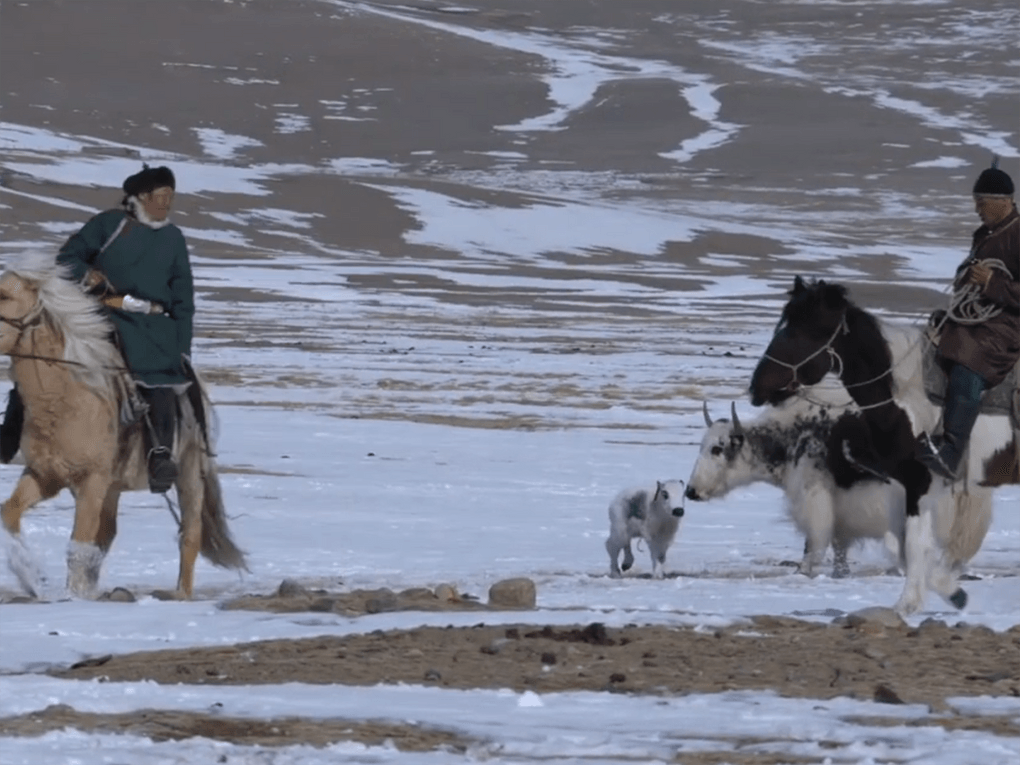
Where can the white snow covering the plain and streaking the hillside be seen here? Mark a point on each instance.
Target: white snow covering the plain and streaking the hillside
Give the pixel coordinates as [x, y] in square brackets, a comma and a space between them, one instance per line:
[381, 437]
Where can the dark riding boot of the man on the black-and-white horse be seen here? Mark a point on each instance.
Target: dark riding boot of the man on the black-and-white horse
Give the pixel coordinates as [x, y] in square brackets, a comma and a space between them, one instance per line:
[942, 455]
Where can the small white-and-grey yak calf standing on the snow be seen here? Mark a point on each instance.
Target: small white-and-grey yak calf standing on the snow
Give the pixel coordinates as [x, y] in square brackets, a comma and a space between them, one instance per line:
[653, 516]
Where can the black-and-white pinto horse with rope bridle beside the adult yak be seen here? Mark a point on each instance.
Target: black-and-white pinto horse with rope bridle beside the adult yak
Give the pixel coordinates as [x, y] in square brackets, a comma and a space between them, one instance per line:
[881, 366]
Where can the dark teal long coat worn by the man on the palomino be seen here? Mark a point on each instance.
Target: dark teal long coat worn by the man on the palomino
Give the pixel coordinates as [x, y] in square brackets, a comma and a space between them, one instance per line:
[148, 264]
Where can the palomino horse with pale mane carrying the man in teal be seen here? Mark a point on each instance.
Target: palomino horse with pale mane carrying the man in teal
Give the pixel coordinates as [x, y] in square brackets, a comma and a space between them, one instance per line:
[71, 378]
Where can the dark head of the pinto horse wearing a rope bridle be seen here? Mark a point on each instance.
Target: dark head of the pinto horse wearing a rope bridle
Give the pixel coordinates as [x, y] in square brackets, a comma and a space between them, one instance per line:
[801, 352]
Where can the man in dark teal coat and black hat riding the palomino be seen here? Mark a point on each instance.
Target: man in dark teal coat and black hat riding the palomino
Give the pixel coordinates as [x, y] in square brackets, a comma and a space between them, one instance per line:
[136, 263]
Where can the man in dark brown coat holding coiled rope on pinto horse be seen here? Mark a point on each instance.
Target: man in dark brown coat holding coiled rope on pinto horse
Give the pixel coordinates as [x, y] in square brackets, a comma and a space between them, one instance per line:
[981, 346]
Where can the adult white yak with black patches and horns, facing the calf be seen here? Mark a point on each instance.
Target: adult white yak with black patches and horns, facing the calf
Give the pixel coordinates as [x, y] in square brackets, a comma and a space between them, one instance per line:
[787, 447]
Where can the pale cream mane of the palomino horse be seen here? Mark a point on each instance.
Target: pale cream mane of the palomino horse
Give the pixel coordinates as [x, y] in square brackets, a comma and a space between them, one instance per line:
[93, 359]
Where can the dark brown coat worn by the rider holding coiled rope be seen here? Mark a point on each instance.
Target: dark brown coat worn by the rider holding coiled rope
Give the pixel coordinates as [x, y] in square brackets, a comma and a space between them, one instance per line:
[992, 348]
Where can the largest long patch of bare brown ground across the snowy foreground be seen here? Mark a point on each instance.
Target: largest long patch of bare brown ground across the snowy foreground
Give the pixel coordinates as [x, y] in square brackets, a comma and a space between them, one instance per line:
[891, 665]
